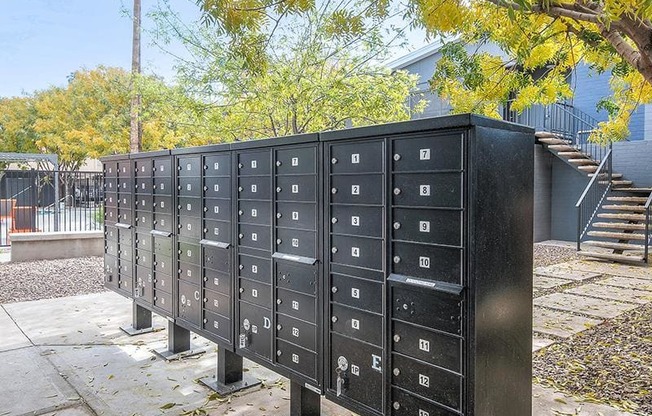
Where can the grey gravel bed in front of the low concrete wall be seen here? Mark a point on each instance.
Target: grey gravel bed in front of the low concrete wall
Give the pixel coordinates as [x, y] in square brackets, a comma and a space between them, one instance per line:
[45, 279]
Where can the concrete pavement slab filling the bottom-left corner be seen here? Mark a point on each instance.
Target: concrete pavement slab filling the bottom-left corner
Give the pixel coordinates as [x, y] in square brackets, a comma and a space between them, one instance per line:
[31, 385]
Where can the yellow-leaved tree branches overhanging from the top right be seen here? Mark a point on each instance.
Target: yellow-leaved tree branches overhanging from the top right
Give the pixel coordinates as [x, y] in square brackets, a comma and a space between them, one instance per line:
[543, 41]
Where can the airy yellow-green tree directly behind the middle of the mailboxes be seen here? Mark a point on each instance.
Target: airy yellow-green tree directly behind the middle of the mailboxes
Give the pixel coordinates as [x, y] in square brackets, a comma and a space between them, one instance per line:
[307, 79]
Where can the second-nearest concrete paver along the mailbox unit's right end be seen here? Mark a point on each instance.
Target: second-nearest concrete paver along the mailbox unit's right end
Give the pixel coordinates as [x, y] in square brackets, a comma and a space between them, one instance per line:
[600, 308]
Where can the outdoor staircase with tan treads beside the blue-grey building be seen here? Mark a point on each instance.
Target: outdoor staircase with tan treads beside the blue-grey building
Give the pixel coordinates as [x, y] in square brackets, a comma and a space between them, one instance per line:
[613, 213]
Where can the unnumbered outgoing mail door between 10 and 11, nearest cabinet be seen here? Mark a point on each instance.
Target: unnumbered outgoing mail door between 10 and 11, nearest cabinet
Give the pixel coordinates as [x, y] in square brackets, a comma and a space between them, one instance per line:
[429, 308]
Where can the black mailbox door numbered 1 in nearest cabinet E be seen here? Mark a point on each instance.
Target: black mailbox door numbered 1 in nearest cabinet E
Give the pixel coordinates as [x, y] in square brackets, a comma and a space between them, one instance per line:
[357, 157]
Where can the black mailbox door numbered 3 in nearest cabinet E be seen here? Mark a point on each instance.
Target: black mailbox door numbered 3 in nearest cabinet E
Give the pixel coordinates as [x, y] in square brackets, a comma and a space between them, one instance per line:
[357, 220]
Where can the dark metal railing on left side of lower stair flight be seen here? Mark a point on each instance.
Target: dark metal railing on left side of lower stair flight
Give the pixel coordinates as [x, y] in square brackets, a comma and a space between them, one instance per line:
[589, 203]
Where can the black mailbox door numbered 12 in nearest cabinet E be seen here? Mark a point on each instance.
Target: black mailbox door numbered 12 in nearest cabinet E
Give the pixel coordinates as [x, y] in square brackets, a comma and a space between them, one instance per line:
[427, 381]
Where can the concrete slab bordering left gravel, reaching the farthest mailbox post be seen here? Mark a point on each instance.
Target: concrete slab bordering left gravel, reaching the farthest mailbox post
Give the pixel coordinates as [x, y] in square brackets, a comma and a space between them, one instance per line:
[79, 320]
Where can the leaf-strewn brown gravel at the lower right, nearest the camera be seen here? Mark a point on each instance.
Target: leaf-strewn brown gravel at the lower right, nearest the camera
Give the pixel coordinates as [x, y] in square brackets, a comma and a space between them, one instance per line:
[610, 363]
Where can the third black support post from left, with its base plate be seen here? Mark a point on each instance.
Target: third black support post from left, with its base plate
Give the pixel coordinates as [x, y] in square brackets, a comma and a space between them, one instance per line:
[229, 376]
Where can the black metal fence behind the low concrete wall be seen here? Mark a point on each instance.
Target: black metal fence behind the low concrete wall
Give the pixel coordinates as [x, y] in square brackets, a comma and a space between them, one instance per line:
[49, 201]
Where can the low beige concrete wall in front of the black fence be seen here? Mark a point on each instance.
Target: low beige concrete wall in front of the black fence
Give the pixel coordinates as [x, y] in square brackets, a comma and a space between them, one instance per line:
[60, 245]
